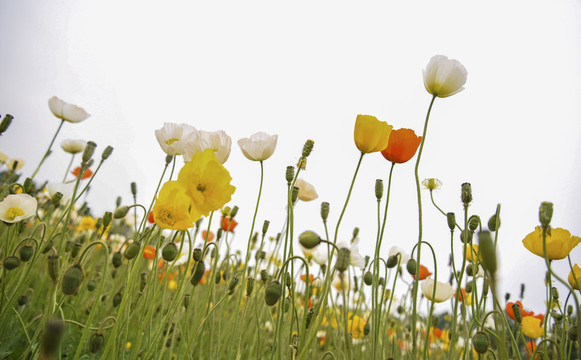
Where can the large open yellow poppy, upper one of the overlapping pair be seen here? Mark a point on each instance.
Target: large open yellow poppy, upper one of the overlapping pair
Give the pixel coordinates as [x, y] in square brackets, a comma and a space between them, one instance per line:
[207, 183]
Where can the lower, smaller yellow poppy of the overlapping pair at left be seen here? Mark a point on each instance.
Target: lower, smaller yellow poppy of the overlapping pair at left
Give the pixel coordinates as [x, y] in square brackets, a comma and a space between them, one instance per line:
[173, 209]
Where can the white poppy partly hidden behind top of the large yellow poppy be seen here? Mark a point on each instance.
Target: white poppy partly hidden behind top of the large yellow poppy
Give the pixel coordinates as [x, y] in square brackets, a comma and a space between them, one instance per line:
[201, 140]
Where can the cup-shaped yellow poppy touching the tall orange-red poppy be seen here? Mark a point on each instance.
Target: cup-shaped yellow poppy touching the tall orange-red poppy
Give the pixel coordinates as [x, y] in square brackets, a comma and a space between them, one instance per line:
[371, 135]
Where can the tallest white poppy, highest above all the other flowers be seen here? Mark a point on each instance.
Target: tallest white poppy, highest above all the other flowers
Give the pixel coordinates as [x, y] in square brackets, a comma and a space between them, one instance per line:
[444, 77]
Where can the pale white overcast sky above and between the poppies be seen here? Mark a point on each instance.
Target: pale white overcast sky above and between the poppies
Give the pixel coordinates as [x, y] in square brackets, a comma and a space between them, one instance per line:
[304, 70]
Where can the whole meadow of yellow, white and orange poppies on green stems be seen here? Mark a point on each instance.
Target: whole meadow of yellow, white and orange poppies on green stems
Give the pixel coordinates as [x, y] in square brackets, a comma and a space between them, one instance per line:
[79, 285]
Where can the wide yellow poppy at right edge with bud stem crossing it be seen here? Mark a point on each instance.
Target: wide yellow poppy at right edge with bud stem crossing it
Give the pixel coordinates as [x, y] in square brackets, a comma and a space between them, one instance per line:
[559, 243]
